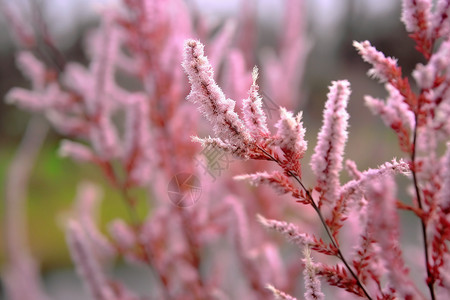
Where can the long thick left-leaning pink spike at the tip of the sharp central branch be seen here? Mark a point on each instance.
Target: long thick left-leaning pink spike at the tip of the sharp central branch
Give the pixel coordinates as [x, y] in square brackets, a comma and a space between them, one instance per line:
[213, 104]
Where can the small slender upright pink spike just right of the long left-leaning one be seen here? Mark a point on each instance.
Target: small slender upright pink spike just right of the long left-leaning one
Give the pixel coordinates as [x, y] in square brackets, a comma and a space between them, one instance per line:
[254, 116]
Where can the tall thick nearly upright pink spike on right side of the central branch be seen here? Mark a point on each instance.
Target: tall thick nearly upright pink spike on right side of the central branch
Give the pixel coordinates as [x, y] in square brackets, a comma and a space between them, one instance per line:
[326, 162]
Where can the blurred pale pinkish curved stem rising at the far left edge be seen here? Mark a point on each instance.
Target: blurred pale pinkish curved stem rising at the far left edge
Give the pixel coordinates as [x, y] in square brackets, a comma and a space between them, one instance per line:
[21, 272]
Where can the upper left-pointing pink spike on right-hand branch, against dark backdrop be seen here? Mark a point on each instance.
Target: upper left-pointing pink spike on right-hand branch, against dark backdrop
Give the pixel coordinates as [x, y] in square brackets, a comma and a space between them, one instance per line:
[384, 68]
